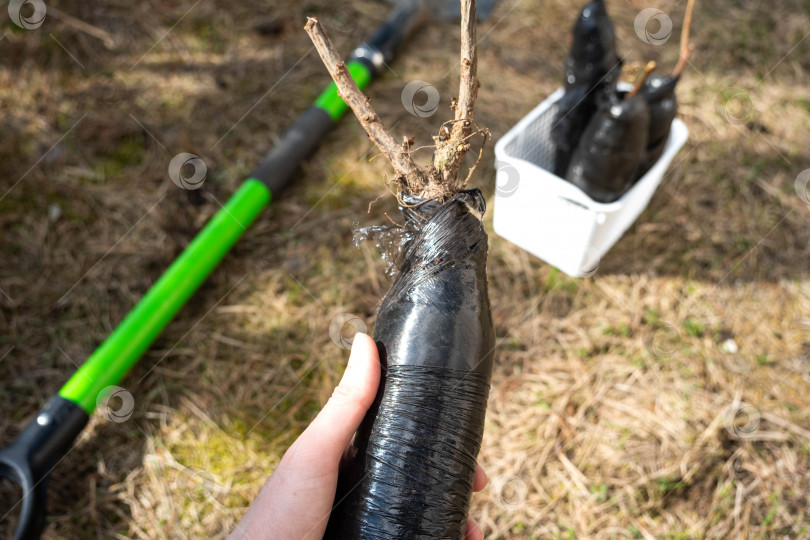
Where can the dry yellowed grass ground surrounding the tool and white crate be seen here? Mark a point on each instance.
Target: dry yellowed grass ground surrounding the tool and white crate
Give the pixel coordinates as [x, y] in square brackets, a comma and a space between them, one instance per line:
[611, 412]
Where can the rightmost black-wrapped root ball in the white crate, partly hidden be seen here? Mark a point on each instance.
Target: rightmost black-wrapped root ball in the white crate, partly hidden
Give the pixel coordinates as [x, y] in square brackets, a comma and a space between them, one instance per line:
[659, 93]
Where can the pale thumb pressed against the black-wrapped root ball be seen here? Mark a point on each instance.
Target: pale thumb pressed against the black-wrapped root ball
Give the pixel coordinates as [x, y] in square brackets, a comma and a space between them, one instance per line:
[333, 428]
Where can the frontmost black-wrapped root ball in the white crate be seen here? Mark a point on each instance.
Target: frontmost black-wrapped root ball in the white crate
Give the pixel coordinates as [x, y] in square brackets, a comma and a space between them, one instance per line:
[611, 149]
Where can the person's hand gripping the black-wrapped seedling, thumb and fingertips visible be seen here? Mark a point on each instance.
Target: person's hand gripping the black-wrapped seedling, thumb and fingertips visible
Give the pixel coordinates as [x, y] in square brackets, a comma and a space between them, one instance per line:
[296, 501]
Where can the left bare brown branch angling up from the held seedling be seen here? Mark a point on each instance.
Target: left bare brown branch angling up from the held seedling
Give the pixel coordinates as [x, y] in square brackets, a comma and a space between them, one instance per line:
[347, 89]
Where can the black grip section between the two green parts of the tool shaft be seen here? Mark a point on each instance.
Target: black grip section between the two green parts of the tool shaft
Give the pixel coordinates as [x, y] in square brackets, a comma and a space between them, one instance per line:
[277, 168]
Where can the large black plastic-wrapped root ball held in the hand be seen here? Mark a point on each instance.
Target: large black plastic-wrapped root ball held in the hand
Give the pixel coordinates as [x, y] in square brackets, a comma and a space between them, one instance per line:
[412, 473]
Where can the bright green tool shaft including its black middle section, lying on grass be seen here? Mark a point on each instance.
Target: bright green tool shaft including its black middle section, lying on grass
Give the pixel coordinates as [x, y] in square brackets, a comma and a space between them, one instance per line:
[122, 349]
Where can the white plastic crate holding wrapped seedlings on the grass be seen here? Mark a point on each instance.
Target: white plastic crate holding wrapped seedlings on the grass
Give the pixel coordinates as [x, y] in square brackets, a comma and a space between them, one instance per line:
[550, 217]
